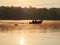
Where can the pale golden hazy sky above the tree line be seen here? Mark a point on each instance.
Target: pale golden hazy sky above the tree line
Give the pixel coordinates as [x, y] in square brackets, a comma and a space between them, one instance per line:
[34, 3]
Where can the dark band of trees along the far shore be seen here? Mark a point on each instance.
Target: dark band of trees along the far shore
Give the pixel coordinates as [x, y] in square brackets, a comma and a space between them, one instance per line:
[18, 13]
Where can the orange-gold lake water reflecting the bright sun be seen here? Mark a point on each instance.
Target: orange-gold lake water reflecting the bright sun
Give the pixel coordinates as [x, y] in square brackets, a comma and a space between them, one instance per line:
[47, 33]
